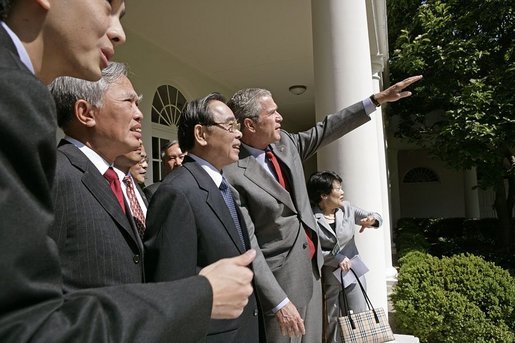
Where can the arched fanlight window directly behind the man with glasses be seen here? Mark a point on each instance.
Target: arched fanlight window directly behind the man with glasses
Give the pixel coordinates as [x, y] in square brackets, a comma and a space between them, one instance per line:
[167, 107]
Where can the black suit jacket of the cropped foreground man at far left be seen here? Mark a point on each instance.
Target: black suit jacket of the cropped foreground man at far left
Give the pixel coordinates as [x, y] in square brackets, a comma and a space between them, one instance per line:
[32, 304]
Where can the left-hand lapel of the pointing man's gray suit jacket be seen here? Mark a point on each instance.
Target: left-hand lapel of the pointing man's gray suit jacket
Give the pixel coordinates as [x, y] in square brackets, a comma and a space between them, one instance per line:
[259, 176]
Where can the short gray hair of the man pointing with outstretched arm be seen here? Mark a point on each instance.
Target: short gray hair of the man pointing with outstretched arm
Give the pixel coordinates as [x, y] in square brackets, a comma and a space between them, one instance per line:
[245, 103]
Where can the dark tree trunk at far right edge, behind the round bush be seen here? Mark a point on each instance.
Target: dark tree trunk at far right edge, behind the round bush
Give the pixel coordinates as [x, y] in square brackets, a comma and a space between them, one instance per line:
[504, 210]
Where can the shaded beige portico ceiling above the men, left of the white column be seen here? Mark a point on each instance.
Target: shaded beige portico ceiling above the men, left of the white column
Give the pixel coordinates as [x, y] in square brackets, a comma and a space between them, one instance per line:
[239, 43]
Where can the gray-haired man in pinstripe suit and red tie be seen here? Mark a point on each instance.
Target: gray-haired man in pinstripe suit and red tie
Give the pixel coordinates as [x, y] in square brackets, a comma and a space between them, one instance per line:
[94, 230]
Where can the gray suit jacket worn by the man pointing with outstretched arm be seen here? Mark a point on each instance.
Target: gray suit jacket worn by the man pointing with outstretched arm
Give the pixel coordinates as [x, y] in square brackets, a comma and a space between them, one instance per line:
[279, 218]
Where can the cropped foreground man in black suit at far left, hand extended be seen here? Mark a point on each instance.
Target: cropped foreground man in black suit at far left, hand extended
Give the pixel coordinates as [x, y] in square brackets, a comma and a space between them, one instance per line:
[38, 43]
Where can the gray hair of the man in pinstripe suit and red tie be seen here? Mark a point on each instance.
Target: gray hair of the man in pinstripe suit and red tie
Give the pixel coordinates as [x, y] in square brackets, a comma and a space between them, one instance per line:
[68, 90]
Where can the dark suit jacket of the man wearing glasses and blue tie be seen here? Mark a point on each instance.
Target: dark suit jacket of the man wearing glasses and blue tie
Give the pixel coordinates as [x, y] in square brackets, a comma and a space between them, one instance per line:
[189, 227]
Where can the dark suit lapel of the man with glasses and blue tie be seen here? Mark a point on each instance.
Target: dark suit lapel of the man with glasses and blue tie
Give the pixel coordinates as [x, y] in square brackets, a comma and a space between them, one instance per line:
[215, 201]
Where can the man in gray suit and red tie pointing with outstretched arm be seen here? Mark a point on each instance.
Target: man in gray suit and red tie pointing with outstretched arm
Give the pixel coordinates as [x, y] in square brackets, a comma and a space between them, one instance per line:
[270, 181]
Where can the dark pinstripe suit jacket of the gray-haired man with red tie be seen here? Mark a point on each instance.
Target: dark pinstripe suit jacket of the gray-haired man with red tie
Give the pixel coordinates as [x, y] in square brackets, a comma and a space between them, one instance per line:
[98, 243]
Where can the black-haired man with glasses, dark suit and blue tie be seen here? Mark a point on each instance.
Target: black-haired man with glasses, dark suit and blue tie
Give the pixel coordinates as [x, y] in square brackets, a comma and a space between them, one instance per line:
[190, 223]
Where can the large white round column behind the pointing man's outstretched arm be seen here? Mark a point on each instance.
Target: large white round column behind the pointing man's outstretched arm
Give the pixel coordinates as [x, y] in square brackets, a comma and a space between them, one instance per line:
[343, 76]
